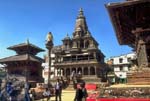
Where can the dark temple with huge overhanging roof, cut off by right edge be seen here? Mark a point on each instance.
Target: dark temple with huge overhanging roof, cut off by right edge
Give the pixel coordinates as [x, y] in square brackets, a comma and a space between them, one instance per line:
[131, 21]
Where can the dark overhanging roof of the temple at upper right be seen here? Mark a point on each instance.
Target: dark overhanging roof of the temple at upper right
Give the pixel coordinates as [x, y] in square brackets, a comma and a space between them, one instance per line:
[128, 16]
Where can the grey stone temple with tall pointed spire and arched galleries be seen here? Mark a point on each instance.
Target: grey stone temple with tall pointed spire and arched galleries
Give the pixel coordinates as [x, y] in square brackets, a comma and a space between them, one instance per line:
[79, 54]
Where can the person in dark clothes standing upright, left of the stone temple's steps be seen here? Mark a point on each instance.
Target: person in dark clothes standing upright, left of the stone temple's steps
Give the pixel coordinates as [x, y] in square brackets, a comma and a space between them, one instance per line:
[58, 90]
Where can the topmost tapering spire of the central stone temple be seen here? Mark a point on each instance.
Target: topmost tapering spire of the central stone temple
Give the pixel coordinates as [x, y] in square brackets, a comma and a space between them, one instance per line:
[81, 25]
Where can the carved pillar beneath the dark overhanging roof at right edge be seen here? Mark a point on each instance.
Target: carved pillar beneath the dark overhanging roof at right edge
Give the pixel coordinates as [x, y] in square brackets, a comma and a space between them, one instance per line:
[142, 42]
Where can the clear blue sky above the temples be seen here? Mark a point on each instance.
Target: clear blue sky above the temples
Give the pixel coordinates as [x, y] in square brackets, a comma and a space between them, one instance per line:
[33, 19]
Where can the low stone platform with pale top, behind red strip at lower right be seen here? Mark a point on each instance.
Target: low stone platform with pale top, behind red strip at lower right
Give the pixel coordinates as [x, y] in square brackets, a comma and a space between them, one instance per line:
[127, 91]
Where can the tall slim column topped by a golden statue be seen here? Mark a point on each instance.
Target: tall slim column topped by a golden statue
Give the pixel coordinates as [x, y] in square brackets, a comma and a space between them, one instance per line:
[49, 45]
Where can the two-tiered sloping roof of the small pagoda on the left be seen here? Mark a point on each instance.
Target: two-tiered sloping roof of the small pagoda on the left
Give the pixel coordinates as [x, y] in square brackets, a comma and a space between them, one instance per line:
[25, 51]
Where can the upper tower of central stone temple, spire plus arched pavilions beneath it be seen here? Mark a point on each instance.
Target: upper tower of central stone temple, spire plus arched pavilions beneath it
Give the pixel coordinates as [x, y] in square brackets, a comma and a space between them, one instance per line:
[82, 38]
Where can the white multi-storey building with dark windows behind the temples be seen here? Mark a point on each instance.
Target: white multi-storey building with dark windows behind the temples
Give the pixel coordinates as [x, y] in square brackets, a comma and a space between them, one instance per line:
[121, 66]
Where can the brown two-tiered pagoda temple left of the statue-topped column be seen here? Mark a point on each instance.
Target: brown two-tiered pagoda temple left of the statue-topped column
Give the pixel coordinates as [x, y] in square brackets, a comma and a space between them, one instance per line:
[25, 64]
